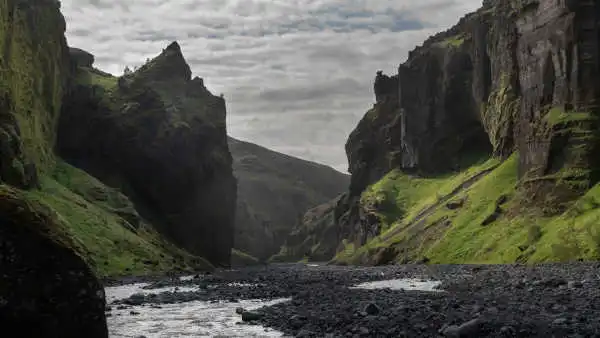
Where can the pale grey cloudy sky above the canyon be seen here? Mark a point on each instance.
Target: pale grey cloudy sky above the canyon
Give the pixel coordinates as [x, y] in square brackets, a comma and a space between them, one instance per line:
[297, 74]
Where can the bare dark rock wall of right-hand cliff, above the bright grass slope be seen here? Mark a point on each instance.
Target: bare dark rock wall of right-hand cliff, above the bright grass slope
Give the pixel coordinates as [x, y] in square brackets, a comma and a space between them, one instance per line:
[512, 77]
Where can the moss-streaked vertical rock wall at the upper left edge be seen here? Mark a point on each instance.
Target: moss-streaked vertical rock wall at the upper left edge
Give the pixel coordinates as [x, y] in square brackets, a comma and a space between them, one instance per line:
[34, 69]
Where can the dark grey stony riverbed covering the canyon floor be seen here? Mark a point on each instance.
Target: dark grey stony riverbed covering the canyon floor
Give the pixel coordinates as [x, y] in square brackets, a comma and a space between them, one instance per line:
[554, 300]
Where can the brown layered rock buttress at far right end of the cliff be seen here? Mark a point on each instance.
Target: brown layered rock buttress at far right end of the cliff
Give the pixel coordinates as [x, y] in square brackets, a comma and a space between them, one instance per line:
[558, 60]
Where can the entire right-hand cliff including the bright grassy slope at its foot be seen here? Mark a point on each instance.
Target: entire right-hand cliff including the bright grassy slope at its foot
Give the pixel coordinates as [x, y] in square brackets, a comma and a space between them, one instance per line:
[517, 81]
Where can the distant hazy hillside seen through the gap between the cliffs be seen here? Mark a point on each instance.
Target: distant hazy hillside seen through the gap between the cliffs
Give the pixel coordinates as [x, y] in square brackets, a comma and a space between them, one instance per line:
[274, 190]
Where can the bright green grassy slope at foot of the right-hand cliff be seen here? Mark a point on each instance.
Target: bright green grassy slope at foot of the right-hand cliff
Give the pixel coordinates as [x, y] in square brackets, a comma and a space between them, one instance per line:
[461, 235]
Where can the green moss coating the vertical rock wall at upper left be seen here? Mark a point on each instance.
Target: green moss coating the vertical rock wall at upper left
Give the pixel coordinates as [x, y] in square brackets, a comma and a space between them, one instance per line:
[32, 74]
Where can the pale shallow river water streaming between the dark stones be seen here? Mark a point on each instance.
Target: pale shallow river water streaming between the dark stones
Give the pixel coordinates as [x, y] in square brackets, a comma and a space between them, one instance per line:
[206, 319]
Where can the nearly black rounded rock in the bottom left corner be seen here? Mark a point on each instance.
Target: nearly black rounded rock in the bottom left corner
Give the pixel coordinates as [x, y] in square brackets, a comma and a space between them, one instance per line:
[46, 288]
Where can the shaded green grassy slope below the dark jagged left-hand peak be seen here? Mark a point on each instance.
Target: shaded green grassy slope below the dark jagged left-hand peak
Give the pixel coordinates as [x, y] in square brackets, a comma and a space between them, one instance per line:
[113, 245]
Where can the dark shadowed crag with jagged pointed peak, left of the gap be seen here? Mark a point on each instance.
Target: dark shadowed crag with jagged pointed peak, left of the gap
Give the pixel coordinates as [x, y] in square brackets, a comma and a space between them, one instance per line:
[159, 136]
